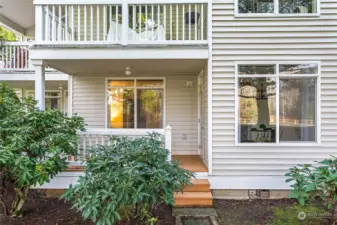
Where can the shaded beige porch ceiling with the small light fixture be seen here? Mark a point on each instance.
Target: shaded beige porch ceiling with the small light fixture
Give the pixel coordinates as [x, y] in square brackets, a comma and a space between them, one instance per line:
[117, 67]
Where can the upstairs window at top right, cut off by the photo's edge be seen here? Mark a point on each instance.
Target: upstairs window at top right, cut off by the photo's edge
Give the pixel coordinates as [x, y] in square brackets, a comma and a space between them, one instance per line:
[281, 7]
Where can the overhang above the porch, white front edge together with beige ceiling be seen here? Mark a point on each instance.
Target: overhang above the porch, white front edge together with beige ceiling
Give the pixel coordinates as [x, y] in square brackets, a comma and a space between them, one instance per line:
[114, 62]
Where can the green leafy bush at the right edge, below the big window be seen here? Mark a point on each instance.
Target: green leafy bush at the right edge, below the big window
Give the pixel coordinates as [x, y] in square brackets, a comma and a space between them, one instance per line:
[315, 181]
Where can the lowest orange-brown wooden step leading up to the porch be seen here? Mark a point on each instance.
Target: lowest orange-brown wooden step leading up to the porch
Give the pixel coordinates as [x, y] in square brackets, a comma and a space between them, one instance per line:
[193, 199]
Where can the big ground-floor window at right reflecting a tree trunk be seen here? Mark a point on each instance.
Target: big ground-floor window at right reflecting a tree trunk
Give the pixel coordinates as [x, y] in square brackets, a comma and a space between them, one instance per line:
[277, 102]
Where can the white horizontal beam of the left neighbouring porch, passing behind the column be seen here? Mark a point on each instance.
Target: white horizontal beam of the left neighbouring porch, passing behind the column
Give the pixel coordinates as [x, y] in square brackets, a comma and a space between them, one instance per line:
[31, 76]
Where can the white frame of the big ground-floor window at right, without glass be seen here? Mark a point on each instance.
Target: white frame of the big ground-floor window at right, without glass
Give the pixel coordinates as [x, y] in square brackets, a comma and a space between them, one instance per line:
[277, 76]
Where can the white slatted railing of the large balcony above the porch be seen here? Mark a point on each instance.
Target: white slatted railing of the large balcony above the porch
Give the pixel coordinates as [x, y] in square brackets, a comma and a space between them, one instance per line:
[123, 22]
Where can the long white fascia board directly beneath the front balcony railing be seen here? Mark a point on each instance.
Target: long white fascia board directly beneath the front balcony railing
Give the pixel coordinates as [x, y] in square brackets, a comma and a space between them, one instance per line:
[115, 53]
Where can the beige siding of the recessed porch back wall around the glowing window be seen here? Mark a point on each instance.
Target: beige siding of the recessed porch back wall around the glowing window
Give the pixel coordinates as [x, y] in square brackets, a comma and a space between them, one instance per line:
[181, 107]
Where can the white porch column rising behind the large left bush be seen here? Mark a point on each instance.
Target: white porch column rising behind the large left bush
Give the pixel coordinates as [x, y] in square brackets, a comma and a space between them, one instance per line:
[40, 78]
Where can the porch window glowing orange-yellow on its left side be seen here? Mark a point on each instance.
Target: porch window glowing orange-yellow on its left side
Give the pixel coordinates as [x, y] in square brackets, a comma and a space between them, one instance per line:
[135, 103]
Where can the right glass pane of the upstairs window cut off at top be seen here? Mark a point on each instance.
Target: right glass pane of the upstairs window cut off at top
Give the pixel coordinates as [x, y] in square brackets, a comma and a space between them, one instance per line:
[297, 6]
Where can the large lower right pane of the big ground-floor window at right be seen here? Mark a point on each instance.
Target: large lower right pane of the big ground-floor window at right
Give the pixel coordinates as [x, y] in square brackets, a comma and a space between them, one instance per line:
[298, 109]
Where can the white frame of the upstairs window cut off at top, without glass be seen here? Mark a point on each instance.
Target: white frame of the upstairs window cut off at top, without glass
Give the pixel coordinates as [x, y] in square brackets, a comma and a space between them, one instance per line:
[276, 11]
